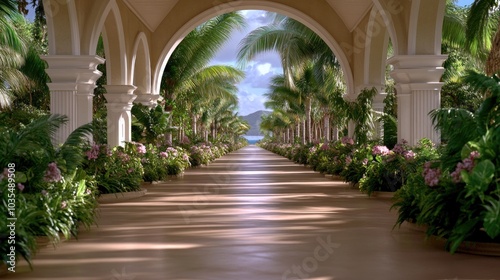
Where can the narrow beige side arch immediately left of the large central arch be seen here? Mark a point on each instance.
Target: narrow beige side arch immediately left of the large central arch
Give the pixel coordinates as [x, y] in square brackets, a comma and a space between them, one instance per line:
[140, 68]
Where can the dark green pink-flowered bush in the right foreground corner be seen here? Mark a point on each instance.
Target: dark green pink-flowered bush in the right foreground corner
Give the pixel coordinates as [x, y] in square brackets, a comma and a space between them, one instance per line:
[458, 204]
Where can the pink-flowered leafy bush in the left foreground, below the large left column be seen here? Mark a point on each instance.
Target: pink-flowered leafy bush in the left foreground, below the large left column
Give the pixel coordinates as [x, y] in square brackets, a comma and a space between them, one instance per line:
[53, 195]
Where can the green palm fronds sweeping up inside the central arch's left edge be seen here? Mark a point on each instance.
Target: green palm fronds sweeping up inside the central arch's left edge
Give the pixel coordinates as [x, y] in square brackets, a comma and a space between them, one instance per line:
[194, 53]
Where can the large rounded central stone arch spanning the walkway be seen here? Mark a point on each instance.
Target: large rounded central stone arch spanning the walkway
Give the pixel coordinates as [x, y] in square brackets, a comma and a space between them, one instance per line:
[253, 5]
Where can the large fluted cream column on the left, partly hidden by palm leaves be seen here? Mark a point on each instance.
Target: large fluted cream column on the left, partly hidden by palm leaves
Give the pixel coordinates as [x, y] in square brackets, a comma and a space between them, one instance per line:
[71, 89]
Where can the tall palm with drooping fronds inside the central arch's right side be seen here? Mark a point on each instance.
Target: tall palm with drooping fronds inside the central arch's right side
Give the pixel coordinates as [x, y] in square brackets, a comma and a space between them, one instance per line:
[303, 54]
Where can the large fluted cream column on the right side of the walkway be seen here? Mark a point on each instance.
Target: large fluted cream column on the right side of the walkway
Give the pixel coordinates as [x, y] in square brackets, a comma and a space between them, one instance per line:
[418, 89]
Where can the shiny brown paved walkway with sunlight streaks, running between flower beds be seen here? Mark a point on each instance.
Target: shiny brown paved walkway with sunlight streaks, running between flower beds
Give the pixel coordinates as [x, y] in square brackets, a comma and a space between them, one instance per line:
[253, 215]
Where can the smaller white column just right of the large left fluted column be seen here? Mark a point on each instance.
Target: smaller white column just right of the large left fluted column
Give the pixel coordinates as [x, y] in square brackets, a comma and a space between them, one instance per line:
[119, 103]
